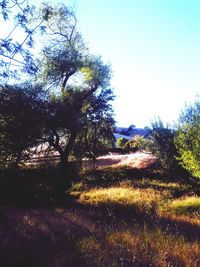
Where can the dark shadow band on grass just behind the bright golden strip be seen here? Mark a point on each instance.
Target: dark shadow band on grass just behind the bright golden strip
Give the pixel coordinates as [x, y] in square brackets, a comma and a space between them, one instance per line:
[111, 176]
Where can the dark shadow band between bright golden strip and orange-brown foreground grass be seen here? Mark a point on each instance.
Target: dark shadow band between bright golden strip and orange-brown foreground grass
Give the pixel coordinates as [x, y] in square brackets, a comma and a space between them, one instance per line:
[119, 216]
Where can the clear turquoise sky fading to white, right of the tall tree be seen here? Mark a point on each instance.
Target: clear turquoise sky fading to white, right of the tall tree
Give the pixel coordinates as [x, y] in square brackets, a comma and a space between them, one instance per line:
[153, 47]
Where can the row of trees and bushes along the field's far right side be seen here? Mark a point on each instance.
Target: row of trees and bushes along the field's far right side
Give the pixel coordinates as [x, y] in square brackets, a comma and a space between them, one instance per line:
[174, 146]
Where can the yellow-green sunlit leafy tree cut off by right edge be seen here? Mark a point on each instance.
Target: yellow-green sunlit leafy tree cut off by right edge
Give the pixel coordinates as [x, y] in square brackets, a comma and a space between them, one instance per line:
[187, 139]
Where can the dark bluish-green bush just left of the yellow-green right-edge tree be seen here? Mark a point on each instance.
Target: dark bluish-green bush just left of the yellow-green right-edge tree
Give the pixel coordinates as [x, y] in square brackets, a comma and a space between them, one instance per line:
[162, 145]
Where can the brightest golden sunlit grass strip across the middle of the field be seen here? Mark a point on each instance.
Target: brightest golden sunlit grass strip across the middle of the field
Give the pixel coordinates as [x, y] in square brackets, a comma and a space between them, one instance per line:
[145, 195]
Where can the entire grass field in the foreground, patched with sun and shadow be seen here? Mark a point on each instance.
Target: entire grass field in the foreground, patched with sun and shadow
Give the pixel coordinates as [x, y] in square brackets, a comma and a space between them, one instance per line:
[109, 217]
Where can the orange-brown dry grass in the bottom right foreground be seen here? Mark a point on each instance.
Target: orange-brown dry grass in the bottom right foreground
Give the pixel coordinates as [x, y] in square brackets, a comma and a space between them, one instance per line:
[139, 248]
